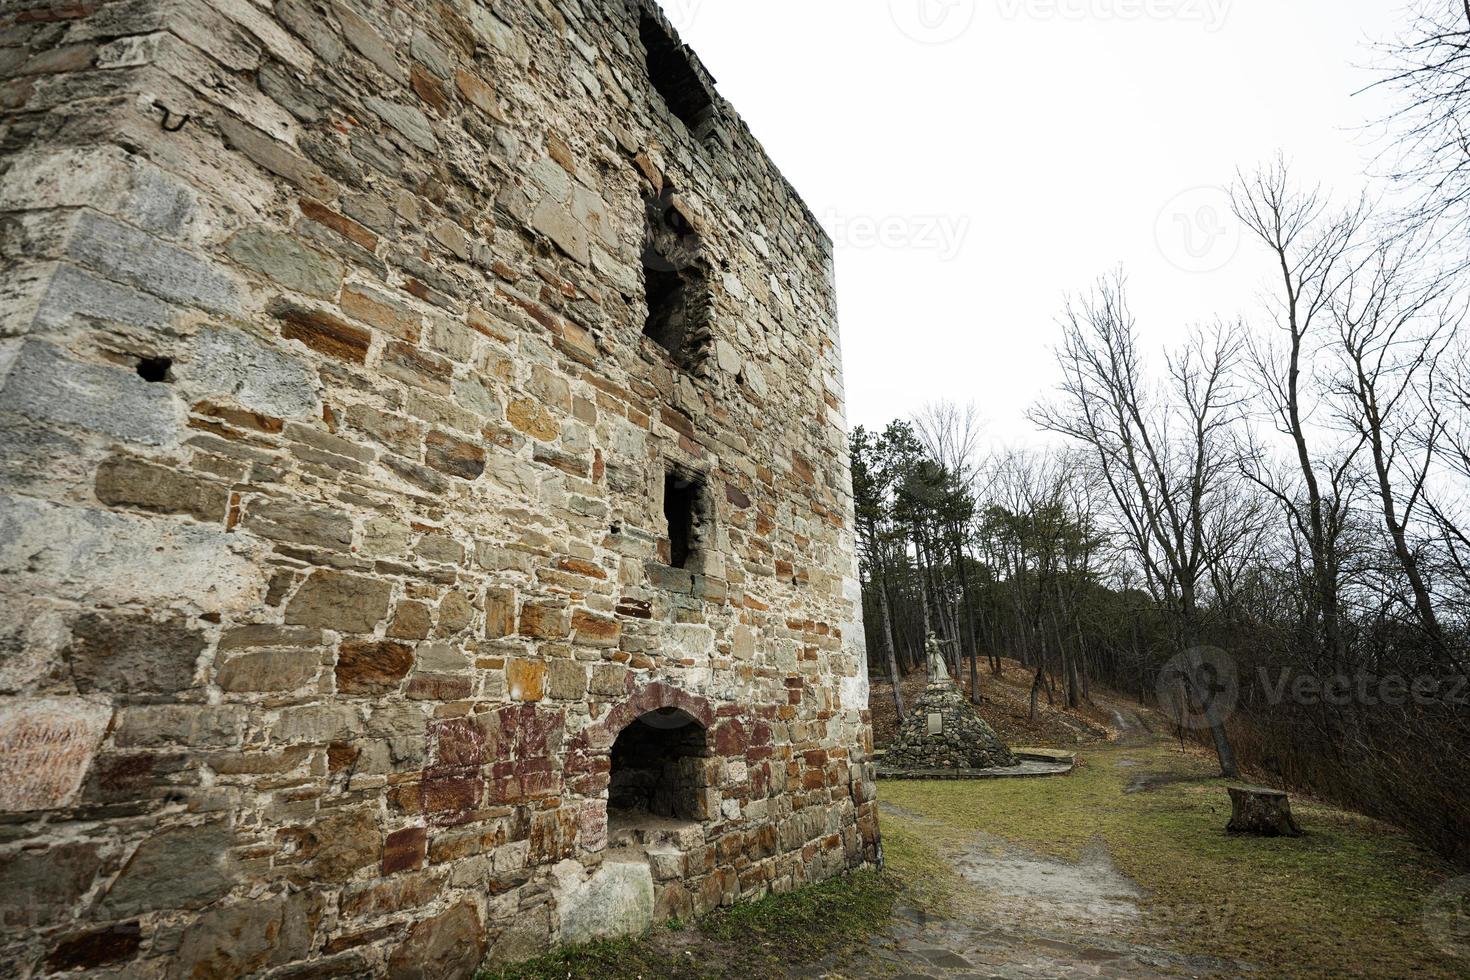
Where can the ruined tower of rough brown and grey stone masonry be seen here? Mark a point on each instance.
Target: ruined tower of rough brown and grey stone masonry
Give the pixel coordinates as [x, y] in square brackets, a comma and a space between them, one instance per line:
[417, 419]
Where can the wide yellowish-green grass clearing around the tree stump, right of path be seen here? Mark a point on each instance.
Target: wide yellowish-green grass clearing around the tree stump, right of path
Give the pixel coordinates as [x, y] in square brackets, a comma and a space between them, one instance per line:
[1343, 901]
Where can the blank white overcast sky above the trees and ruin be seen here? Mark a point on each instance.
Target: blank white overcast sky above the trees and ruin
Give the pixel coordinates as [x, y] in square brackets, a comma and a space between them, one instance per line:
[977, 161]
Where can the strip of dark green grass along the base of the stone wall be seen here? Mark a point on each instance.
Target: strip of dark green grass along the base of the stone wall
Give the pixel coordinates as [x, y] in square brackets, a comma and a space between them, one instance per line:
[761, 940]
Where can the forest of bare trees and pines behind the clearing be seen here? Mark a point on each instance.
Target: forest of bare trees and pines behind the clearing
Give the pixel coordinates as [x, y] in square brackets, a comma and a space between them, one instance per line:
[1265, 530]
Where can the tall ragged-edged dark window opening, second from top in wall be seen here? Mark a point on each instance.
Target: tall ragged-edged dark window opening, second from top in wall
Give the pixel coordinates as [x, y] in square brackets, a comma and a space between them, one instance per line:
[677, 284]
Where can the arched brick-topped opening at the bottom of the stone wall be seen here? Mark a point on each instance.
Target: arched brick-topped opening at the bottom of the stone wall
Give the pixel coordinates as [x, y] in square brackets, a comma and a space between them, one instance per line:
[658, 775]
